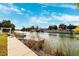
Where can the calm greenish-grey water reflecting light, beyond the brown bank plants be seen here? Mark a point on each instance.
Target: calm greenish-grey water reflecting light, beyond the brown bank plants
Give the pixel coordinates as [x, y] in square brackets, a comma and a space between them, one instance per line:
[67, 43]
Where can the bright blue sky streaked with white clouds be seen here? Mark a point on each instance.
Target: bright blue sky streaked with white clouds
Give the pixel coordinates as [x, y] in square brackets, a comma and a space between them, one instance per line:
[39, 14]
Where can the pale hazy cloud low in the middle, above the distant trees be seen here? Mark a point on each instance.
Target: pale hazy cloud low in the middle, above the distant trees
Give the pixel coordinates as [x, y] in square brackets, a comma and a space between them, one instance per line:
[40, 21]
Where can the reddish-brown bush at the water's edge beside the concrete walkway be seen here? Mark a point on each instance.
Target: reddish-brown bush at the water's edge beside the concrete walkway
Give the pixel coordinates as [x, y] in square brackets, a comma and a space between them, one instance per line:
[35, 45]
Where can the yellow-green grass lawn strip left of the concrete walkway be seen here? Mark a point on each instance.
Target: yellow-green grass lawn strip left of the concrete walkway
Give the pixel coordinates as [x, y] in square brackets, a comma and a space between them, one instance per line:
[3, 44]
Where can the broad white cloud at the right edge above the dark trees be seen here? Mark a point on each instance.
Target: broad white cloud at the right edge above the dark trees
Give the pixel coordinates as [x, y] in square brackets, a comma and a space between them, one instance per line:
[66, 18]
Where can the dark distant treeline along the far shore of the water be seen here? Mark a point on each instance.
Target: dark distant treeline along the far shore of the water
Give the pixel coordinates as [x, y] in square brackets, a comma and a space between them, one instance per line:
[51, 27]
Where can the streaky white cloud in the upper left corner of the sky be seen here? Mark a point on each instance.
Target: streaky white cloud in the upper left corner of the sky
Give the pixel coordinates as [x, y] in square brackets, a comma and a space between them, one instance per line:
[10, 8]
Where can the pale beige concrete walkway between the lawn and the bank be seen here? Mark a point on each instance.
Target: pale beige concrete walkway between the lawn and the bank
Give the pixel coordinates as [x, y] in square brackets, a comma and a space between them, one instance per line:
[17, 48]
